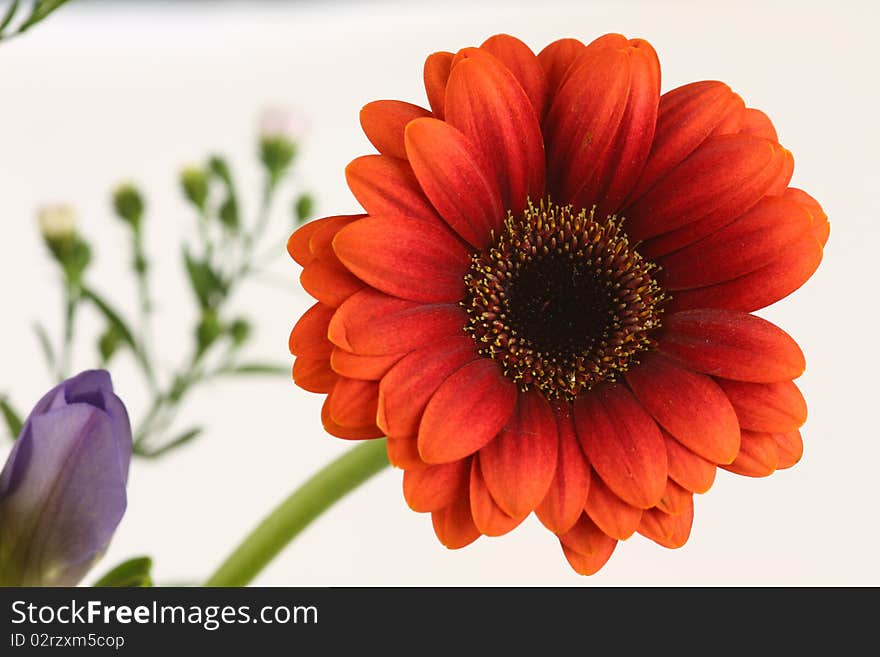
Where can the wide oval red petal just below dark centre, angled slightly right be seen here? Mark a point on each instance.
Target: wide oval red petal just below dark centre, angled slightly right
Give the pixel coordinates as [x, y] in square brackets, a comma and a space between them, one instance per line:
[623, 443]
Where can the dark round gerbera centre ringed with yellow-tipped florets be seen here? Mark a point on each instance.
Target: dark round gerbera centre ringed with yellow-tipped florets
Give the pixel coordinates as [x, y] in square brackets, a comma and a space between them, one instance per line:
[562, 300]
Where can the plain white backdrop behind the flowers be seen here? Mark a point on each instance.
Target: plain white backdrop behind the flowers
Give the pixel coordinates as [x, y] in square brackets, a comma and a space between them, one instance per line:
[108, 91]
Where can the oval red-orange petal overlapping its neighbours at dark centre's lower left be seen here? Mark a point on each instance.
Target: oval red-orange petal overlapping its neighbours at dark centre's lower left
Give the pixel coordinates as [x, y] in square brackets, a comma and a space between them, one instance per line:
[467, 411]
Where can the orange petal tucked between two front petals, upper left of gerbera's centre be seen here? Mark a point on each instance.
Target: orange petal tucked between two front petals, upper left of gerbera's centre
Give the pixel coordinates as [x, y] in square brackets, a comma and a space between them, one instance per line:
[386, 186]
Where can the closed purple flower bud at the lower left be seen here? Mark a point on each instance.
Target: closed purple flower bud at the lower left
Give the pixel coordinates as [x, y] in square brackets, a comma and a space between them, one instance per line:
[62, 491]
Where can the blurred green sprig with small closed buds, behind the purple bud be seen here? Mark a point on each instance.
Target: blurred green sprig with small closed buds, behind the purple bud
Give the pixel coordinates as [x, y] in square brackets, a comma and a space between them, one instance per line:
[218, 260]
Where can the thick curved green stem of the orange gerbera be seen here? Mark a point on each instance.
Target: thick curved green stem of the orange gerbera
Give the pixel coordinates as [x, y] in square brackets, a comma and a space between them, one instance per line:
[294, 514]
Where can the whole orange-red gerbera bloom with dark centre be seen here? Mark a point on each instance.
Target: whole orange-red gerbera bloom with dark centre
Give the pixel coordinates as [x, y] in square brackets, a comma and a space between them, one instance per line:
[547, 305]
